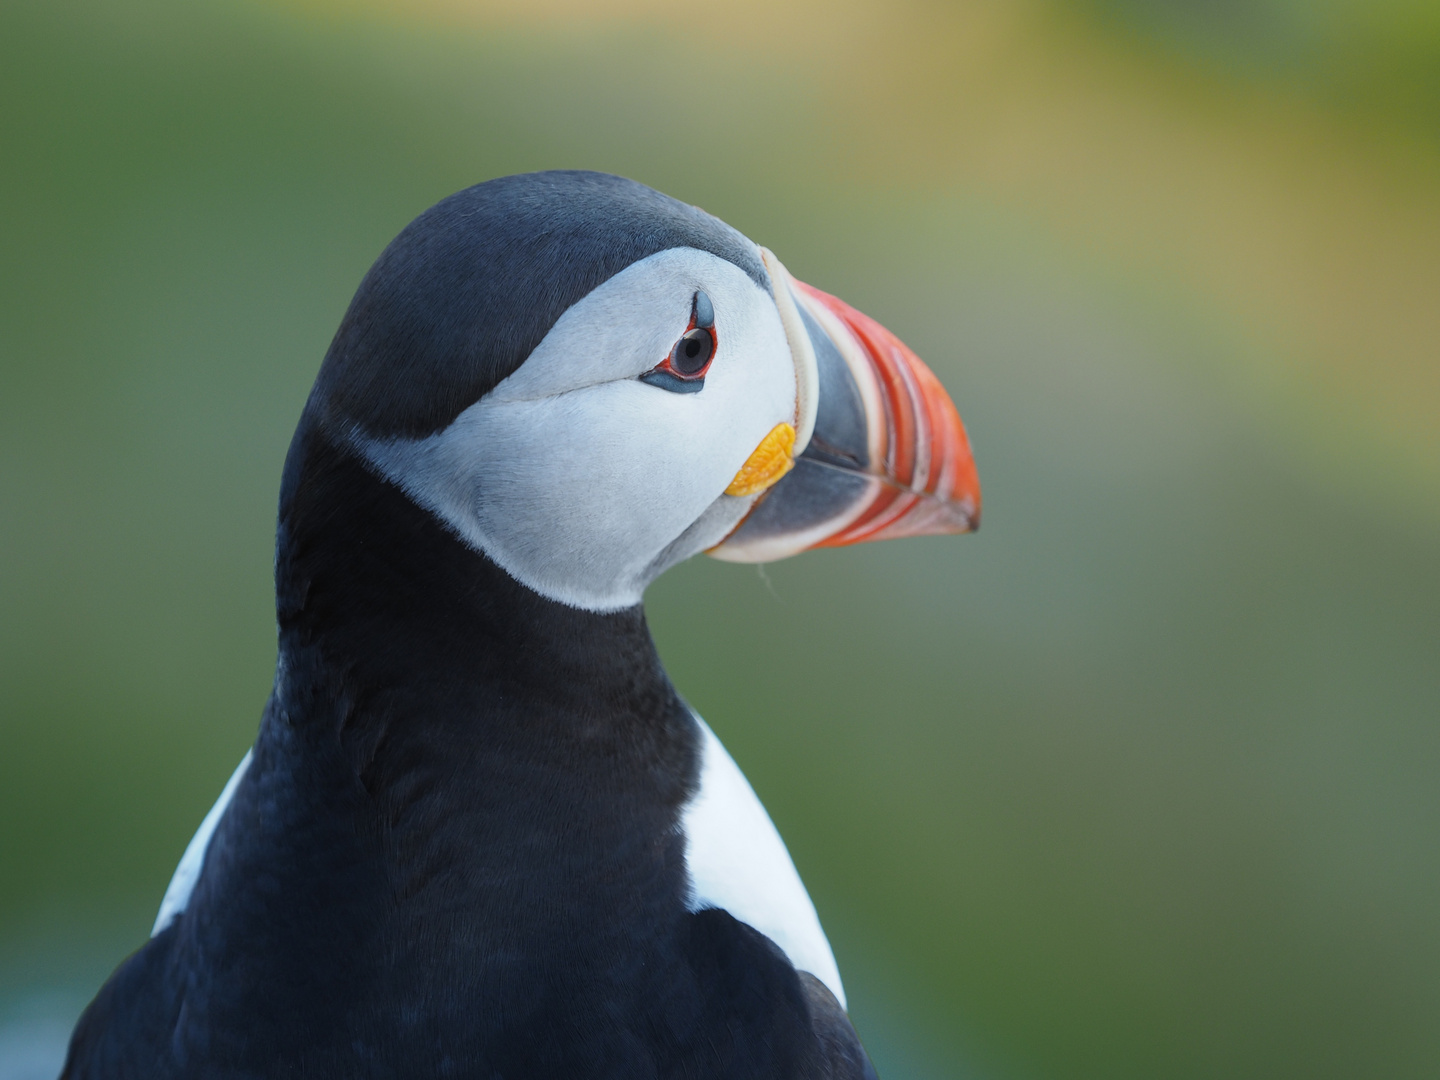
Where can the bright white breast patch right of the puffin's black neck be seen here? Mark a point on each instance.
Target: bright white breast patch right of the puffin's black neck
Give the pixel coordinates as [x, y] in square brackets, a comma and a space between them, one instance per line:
[739, 863]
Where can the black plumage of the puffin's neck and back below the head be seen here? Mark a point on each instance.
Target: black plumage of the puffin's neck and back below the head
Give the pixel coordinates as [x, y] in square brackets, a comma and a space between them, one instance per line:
[457, 849]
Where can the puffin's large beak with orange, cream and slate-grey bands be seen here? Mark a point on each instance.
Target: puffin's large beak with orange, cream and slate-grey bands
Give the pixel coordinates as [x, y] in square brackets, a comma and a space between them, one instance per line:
[881, 451]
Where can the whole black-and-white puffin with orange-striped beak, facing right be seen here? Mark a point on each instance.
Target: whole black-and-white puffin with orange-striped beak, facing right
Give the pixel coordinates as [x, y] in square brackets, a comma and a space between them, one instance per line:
[480, 834]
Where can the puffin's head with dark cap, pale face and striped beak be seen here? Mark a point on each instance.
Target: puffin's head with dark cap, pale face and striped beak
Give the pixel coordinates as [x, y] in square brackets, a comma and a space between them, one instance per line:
[588, 382]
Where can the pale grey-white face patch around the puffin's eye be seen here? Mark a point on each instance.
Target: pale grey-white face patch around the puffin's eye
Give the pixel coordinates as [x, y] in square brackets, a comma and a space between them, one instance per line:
[577, 477]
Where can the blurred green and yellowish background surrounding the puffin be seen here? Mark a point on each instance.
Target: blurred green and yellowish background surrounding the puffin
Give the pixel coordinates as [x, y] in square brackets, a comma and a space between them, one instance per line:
[1141, 781]
